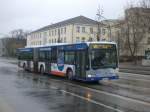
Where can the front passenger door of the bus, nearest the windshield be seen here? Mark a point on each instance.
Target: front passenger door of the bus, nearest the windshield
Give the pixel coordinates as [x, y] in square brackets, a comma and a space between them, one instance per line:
[80, 64]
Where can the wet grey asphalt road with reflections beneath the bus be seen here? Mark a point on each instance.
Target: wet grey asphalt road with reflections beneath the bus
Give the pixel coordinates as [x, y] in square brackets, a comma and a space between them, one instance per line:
[21, 91]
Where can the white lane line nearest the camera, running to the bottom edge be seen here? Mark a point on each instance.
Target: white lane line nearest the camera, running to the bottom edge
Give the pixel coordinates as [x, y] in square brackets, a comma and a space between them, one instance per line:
[89, 100]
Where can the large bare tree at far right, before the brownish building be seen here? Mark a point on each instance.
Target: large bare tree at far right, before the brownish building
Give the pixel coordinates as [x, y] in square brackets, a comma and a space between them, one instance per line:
[135, 27]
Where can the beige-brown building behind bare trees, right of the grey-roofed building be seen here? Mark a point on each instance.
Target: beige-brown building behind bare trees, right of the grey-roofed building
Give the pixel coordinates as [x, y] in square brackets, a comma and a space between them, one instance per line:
[116, 30]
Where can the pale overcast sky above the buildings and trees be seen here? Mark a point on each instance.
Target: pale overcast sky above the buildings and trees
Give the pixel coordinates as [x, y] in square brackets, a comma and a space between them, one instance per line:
[33, 14]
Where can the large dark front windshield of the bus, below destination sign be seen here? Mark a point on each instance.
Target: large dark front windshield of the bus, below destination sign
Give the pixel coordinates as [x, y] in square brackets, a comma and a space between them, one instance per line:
[103, 58]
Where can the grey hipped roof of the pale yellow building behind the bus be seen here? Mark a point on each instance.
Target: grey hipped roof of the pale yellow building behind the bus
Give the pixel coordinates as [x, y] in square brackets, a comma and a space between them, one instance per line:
[78, 19]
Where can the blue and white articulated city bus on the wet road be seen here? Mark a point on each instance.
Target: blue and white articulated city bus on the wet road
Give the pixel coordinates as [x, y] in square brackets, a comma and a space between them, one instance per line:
[89, 61]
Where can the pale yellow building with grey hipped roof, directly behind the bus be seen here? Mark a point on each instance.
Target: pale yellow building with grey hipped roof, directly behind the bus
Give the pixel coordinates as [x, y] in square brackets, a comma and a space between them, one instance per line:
[78, 29]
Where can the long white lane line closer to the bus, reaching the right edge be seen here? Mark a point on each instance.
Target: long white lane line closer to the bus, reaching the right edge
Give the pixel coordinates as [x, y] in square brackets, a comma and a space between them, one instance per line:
[109, 94]
